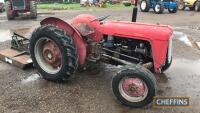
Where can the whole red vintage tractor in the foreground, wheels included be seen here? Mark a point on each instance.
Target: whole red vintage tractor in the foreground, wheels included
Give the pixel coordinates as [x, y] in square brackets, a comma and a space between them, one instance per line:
[58, 49]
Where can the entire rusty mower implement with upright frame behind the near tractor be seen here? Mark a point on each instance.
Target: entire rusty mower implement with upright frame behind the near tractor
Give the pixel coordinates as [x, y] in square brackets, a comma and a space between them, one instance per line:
[18, 54]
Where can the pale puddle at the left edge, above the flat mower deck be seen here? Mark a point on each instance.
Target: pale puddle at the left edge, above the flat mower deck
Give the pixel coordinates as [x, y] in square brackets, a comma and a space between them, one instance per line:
[5, 35]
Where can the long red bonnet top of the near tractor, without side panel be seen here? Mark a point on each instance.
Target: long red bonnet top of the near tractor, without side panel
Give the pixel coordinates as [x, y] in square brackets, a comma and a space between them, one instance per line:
[137, 30]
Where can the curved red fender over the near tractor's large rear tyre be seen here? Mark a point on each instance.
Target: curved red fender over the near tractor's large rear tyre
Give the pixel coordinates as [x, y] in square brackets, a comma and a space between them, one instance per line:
[72, 32]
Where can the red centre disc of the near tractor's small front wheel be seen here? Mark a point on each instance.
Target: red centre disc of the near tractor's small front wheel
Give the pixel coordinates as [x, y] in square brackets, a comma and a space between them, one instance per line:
[133, 87]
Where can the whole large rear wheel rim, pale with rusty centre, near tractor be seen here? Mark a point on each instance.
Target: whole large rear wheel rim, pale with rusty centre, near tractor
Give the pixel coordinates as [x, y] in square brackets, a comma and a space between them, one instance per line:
[48, 55]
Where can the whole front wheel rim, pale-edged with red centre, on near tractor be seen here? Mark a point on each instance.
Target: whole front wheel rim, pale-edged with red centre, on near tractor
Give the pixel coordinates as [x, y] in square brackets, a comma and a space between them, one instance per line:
[133, 89]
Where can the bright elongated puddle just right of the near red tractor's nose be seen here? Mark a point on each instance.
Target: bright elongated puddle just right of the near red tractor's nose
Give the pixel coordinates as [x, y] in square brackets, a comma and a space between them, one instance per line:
[182, 37]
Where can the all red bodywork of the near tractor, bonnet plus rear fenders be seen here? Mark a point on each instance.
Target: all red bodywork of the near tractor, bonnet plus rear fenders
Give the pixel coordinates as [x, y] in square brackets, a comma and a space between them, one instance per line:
[157, 35]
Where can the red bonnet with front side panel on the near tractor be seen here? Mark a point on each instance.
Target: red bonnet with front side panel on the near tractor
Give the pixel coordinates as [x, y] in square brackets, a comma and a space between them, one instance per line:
[157, 35]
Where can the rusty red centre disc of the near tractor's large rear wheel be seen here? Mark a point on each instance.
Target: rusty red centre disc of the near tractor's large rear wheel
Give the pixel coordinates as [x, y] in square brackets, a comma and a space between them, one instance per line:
[51, 54]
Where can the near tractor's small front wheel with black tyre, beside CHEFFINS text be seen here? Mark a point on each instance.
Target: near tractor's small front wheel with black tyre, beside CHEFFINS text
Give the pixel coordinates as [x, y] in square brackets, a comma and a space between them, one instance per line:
[134, 87]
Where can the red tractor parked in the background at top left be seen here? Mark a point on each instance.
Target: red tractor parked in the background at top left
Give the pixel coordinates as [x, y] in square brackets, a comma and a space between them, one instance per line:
[16, 7]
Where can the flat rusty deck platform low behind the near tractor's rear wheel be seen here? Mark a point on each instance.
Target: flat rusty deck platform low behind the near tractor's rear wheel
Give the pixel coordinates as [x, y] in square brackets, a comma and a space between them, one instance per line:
[16, 58]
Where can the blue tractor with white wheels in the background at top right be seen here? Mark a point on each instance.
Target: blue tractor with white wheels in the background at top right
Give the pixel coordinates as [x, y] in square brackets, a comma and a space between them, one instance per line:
[158, 6]
